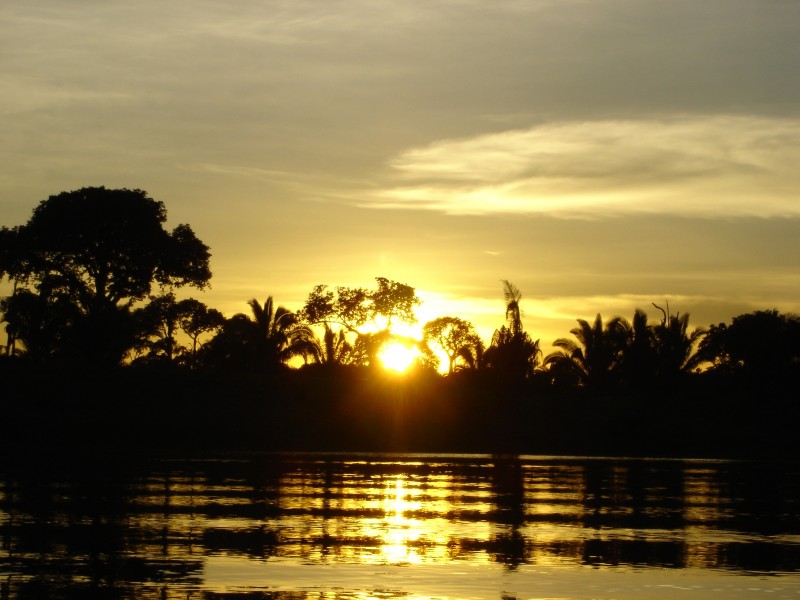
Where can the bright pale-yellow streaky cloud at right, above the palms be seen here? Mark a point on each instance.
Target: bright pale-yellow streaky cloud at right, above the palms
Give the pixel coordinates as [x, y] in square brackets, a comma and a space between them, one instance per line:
[695, 165]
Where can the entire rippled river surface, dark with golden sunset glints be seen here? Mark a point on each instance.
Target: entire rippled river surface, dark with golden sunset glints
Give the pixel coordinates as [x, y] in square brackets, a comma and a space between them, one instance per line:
[385, 526]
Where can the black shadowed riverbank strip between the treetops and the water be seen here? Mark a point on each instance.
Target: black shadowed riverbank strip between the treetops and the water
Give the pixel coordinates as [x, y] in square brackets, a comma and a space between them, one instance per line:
[163, 412]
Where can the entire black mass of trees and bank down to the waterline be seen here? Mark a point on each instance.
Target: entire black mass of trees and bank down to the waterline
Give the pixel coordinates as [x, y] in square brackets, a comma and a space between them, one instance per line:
[101, 353]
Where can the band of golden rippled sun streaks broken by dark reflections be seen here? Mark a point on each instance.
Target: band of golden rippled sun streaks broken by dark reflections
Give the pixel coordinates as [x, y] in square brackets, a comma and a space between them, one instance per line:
[404, 513]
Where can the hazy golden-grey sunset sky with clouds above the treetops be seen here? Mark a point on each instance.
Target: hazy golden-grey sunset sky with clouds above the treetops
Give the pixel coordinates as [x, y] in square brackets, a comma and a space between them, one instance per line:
[602, 155]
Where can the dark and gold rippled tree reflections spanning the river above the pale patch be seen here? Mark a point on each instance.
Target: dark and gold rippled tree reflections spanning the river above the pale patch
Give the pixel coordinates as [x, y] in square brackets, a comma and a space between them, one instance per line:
[129, 532]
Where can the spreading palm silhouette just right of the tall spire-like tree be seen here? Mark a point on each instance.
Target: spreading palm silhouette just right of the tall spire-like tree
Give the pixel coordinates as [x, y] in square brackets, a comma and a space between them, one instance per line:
[594, 357]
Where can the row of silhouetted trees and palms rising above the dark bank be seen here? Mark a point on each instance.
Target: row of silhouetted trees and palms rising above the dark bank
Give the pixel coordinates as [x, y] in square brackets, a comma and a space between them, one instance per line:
[94, 276]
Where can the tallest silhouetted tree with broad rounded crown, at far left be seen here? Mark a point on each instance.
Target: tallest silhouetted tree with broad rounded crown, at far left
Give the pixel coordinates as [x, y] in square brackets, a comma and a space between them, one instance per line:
[102, 249]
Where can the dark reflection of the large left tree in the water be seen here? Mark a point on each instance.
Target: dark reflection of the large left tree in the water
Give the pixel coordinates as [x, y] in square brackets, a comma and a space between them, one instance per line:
[90, 534]
